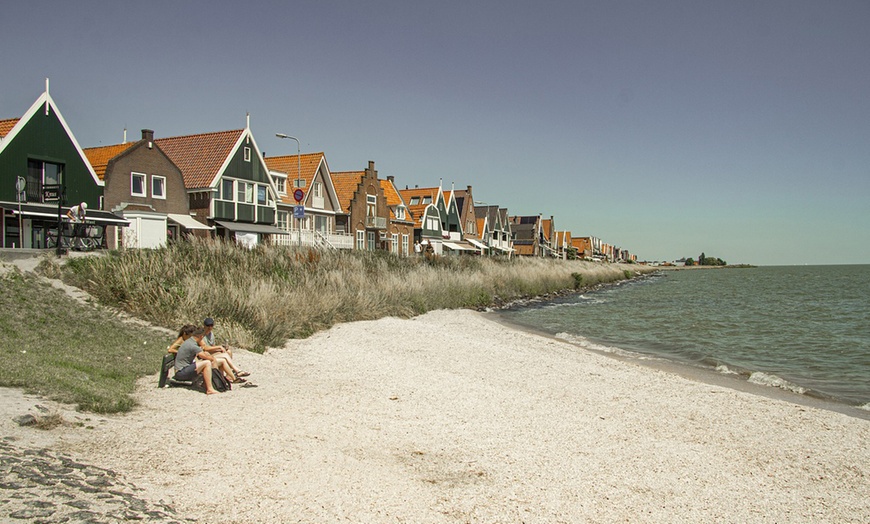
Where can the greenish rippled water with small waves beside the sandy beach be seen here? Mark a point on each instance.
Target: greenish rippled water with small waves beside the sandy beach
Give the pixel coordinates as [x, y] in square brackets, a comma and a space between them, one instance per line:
[801, 328]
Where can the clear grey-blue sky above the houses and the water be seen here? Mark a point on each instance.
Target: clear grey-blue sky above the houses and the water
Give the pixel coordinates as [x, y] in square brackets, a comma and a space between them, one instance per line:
[740, 129]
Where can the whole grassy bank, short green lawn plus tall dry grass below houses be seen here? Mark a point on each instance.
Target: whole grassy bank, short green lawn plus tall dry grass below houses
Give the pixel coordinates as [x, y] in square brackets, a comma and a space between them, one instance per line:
[83, 354]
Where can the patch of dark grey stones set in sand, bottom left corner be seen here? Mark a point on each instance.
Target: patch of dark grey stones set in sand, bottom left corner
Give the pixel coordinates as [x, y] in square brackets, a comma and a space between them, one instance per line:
[42, 486]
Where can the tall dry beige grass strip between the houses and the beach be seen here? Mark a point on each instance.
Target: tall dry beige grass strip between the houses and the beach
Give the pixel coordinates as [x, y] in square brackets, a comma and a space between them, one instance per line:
[261, 297]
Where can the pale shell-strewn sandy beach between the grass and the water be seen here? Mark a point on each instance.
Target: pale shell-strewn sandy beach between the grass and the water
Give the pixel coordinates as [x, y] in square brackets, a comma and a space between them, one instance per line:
[452, 417]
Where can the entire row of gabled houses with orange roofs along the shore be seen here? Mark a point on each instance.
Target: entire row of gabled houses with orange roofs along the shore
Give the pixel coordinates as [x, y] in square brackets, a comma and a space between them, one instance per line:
[145, 193]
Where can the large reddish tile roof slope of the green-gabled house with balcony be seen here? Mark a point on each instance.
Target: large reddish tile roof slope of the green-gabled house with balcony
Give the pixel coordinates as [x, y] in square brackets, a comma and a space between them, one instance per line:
[200, 157]
